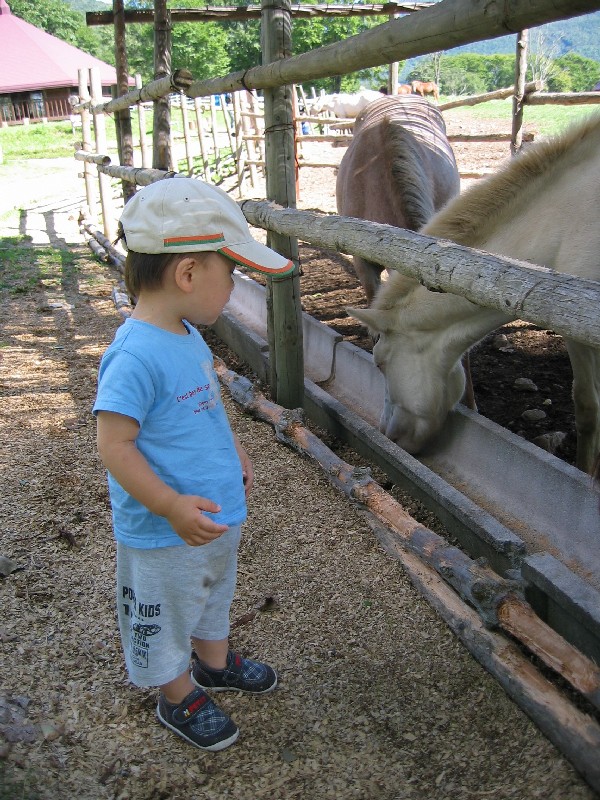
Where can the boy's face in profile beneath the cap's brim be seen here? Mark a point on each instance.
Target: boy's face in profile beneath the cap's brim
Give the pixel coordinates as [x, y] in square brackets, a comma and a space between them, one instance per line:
[212, 287]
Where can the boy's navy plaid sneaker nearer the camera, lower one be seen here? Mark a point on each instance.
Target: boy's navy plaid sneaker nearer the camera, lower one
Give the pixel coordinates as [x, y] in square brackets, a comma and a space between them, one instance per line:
[199, 721]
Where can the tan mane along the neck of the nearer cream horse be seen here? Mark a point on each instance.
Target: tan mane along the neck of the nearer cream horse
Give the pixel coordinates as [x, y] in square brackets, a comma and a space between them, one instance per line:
[471, 215]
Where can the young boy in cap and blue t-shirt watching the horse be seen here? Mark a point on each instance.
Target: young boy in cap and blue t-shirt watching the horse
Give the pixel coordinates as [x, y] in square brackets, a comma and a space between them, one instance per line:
[178, 476]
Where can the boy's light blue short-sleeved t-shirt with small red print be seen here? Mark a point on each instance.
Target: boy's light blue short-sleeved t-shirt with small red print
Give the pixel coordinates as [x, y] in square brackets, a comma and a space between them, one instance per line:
[166, 382]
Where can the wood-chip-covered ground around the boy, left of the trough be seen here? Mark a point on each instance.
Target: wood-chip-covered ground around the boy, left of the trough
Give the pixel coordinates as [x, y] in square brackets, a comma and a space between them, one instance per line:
[377, 700]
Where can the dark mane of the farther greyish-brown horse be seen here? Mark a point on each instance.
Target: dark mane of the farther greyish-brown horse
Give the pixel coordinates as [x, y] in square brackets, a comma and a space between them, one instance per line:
[414, 188]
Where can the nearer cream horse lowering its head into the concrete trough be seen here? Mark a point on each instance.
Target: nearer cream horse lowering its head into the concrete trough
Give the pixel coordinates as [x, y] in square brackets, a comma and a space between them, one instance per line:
[541, 208]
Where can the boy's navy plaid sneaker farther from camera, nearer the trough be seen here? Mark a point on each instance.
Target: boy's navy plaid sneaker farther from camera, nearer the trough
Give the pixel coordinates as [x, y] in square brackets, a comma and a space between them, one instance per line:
[240, 675]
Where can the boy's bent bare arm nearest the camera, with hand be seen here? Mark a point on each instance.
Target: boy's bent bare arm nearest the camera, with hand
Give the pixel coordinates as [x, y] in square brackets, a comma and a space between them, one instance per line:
[117, 435]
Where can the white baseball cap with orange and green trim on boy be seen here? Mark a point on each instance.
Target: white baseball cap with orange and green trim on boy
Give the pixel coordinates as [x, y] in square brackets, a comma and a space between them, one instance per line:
[185, 215]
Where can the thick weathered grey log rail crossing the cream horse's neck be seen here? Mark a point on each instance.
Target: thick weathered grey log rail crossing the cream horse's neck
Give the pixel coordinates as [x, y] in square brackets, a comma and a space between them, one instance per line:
[565, 303]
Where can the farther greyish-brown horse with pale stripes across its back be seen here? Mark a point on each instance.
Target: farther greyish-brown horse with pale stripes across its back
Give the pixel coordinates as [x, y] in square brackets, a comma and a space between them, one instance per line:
[399, 169]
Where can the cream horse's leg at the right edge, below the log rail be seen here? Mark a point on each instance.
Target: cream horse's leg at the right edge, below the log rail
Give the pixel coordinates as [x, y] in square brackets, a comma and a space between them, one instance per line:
[585, 362]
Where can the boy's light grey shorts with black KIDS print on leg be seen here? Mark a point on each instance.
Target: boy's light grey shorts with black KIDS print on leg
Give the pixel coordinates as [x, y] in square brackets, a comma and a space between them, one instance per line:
[166, 596]
